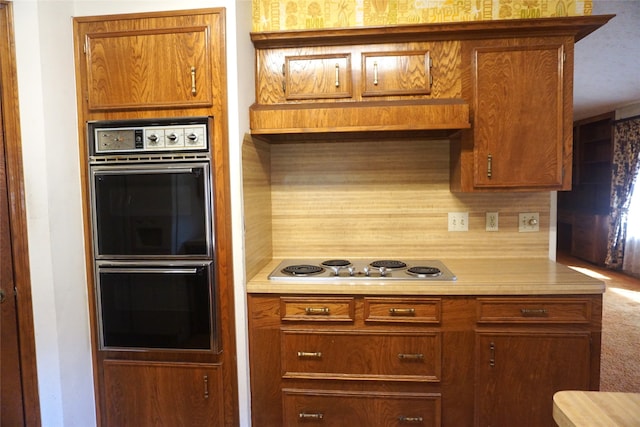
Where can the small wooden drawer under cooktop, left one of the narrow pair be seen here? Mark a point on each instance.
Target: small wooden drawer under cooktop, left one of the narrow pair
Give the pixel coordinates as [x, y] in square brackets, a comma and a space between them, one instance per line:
[337, 309]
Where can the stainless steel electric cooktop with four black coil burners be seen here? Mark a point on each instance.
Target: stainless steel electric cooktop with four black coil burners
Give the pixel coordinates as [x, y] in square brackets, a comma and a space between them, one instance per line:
[366, 270]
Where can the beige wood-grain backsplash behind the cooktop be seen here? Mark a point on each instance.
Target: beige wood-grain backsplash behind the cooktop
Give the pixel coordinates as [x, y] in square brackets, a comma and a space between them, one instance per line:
[389, 199]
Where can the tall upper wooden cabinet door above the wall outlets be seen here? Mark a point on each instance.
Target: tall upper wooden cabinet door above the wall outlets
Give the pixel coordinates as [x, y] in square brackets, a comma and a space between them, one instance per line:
[519, 114]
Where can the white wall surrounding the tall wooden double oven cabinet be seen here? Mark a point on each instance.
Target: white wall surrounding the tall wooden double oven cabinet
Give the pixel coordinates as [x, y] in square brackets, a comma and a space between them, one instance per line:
[46, 84]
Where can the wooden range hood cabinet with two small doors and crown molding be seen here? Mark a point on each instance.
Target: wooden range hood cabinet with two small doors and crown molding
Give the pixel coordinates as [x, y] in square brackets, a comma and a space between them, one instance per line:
[395, 80]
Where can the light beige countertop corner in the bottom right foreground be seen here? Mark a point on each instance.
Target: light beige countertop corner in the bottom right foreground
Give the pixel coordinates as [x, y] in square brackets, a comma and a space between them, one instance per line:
[596, 409]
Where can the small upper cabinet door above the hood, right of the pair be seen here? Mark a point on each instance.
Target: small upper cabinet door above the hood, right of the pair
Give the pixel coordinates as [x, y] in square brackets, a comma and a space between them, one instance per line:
[396, 73]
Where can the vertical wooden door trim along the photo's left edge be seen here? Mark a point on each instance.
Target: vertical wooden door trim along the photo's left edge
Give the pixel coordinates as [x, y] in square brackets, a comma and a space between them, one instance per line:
[17, 214]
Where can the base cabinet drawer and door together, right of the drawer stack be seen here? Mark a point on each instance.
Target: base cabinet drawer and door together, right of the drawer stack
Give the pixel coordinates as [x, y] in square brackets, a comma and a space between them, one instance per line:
[527, 349]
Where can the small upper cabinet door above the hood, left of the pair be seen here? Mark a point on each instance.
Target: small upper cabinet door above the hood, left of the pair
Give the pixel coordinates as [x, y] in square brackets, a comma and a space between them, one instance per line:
[317, 76]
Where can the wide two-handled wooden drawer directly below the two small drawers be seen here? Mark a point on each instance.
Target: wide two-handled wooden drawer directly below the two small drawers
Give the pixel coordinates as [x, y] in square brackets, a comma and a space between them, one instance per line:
[392, 356]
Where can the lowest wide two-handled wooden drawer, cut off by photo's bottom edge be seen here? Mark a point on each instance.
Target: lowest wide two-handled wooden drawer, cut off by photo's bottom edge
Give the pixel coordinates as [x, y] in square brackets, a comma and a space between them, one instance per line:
[344, 408]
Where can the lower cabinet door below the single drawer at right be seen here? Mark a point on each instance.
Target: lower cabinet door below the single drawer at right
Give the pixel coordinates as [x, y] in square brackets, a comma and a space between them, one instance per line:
[518, 373]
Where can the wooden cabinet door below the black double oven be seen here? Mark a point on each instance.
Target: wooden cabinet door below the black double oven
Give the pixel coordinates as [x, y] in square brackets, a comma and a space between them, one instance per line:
[171, 394]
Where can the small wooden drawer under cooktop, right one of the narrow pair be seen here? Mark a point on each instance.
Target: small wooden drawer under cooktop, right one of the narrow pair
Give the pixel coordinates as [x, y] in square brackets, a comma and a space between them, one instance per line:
[403, 310]
